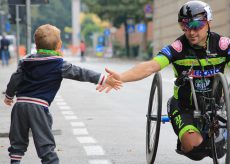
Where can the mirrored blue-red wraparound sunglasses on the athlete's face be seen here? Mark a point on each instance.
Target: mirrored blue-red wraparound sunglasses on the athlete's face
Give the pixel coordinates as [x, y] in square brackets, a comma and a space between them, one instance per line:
[195, 25]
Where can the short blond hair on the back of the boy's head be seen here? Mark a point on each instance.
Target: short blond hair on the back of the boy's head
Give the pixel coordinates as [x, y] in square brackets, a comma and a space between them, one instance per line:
[47, 37]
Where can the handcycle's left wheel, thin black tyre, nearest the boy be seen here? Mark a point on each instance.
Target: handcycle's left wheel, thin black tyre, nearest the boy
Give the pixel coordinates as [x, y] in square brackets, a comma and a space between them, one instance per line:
[154, 118]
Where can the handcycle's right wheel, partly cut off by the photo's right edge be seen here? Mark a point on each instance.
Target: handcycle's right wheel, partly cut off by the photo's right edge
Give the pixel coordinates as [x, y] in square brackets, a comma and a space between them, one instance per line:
[220, 91]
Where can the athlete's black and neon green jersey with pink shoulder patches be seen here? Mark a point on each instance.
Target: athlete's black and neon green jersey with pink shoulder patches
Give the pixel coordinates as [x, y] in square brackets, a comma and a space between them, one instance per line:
[205, 61]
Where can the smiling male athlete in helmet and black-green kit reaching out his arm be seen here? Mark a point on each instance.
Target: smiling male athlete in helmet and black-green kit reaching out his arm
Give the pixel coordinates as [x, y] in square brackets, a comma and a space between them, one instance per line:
[207, 53]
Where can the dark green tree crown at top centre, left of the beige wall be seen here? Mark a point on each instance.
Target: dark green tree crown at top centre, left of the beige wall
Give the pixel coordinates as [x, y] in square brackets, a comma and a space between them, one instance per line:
[117, 11]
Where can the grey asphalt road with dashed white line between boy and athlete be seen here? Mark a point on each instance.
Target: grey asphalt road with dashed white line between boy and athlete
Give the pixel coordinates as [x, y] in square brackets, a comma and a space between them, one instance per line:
[100, 128]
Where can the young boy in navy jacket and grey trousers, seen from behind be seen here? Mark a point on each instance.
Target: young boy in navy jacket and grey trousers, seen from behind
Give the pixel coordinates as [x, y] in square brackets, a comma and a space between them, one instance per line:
[35, 84]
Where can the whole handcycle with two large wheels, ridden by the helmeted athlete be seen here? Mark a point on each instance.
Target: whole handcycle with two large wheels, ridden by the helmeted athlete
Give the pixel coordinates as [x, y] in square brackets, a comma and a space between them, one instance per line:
[215, 112]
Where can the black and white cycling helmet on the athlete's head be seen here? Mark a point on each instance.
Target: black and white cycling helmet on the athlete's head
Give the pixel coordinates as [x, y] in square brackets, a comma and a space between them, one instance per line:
[195, 10]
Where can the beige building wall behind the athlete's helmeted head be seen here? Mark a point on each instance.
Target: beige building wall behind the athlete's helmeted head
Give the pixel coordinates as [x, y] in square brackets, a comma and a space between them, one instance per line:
[166, 28]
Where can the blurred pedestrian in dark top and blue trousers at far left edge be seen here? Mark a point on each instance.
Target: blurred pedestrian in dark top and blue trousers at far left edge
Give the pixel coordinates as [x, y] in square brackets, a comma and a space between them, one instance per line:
[4, 50]
